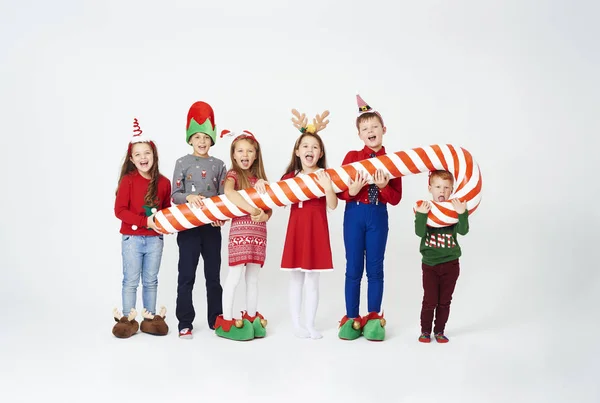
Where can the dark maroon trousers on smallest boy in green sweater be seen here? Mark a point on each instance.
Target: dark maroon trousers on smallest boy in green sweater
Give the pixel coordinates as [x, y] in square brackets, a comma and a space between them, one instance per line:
[438, 285]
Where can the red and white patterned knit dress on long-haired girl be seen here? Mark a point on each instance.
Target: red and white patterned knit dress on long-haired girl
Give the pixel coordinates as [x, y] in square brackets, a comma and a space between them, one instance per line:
[247, 239]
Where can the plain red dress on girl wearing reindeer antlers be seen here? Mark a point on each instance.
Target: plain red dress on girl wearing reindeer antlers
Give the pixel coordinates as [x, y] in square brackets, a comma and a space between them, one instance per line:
[307, 246]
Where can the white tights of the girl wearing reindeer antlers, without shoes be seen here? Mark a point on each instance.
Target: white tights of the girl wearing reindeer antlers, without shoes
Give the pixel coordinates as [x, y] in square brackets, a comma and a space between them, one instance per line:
[311, 282]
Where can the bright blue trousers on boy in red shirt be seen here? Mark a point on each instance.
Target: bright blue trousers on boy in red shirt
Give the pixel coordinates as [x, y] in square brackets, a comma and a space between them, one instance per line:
[365, 238]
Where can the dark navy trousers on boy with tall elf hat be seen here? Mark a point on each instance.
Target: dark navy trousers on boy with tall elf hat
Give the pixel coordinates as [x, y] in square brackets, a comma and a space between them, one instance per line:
[206, 241]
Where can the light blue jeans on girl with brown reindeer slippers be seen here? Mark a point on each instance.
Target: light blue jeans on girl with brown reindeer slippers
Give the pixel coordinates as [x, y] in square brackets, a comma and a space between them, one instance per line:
[141, 258]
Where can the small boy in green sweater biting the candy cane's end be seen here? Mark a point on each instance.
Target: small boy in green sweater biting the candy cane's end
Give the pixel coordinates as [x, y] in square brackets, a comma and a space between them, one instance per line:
[440, 250]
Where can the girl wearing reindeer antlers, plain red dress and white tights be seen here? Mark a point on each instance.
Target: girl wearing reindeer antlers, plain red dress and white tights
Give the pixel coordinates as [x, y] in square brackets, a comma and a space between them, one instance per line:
[307, 250]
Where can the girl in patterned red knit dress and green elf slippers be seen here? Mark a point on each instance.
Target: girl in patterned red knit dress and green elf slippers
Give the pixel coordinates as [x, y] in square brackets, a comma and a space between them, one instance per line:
[247, 241]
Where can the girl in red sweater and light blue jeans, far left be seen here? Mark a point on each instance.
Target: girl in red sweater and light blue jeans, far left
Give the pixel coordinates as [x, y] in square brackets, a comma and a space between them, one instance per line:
[141, 192]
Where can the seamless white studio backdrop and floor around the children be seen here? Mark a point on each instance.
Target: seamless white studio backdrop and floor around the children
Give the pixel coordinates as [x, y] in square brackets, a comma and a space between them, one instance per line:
[514, 82]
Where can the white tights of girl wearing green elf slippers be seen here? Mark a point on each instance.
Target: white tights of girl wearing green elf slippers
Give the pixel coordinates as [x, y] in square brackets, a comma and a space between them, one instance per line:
[233, 279]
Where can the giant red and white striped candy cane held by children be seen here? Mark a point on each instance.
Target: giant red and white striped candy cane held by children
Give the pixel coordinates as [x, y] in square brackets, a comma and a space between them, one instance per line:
[456, 160]
